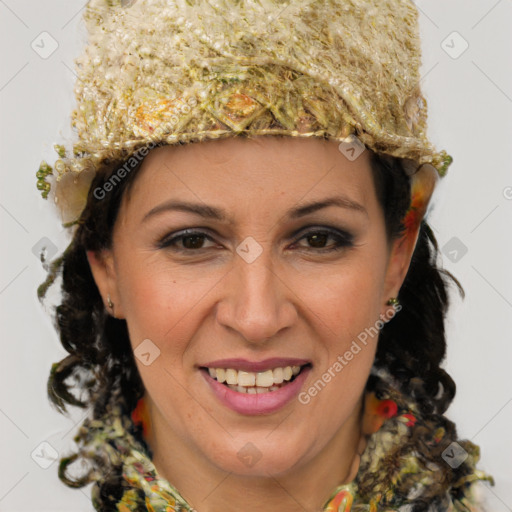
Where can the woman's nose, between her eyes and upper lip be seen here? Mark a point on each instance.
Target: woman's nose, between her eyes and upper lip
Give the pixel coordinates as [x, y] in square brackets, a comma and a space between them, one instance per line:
[257, 302]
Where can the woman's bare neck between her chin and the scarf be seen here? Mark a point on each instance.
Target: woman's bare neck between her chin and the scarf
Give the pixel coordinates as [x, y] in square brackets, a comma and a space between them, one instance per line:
[207, 488]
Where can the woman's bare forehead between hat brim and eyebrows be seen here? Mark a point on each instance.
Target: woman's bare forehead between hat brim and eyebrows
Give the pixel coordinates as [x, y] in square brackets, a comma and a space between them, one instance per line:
[256, 171]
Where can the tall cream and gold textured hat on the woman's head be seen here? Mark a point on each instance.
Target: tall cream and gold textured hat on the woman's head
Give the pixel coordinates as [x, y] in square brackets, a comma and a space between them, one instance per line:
[173, 71]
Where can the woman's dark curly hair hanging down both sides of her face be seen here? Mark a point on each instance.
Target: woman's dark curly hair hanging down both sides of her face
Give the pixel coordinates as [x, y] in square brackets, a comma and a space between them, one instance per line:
[411, 346]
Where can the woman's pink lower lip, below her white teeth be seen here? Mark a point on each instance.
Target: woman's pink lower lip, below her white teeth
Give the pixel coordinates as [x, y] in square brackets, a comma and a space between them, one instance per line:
[260, 403]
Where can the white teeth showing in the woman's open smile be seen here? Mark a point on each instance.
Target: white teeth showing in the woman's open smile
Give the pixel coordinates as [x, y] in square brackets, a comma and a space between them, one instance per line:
[254, 382]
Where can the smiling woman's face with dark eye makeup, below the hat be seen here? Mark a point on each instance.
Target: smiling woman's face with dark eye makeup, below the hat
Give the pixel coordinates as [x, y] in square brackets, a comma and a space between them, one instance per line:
[263, 262]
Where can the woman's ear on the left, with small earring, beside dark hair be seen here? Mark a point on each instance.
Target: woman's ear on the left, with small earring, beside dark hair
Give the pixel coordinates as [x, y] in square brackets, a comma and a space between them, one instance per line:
[103, 271]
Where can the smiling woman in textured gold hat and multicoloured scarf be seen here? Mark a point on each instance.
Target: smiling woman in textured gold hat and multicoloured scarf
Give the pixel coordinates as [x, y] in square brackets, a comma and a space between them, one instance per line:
[233, 358]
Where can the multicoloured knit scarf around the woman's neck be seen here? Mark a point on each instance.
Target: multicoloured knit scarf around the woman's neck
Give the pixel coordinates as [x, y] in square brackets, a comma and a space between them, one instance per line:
[390, 477]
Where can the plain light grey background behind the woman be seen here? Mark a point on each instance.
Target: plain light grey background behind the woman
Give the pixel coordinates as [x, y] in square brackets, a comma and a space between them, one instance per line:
[470, 100]
